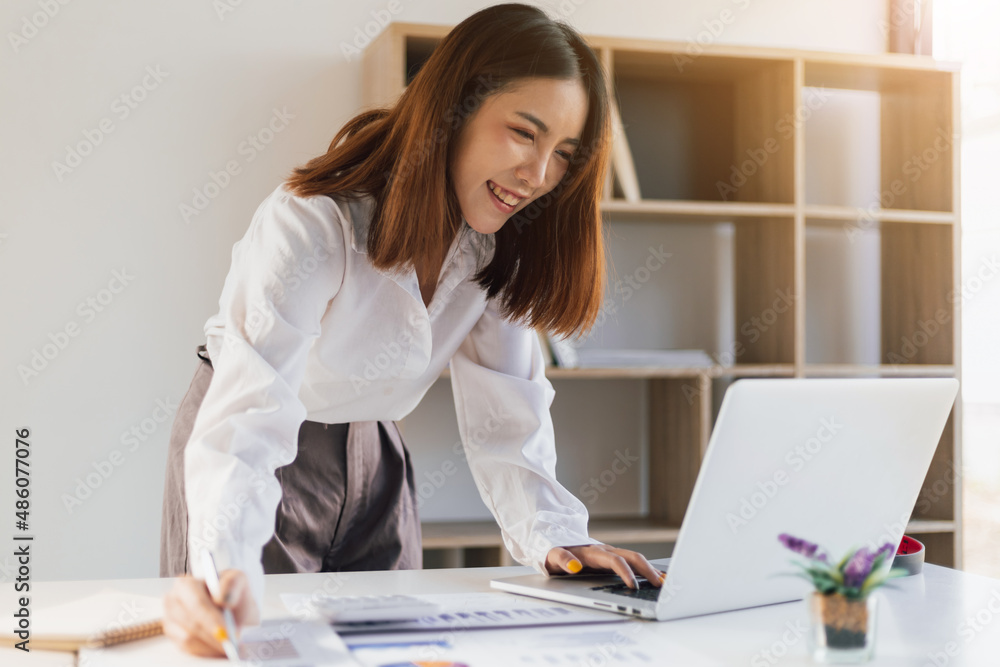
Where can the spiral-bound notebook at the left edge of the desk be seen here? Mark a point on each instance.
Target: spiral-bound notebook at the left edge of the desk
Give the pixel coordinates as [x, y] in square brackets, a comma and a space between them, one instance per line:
[103, 619]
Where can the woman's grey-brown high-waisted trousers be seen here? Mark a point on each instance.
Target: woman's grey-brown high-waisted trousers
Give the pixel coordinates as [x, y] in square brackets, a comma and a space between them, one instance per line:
[348, 501]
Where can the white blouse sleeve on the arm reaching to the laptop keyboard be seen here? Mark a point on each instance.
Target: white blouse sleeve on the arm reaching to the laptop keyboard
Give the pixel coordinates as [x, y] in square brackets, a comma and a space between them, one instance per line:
[502, 401]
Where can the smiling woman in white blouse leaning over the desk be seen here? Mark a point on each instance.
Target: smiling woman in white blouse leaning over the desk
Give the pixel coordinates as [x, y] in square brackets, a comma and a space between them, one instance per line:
[443, 228]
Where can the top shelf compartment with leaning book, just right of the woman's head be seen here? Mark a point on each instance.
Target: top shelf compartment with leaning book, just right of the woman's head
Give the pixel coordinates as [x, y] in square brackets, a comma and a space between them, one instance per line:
[708, 129]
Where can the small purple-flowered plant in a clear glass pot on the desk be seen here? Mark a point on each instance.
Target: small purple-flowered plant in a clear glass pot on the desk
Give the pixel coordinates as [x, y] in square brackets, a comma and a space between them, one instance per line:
[841, 608]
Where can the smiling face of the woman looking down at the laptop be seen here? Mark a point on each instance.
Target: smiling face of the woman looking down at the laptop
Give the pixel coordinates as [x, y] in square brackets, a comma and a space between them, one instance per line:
[520, 141]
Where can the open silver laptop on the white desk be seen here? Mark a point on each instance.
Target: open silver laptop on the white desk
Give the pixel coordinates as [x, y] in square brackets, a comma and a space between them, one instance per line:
[838, 462]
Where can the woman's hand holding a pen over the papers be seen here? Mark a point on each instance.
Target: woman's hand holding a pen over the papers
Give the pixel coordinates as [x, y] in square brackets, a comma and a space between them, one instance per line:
[193, 619]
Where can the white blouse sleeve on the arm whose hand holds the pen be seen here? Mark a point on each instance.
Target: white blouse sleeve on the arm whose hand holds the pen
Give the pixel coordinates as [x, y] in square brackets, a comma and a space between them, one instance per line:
[284, 272]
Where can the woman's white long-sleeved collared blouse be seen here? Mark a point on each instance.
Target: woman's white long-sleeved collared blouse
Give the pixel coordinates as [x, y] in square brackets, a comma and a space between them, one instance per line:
[307, 328]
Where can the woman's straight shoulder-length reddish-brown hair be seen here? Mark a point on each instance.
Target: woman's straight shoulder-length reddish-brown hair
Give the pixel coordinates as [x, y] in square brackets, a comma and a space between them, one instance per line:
[548, 265]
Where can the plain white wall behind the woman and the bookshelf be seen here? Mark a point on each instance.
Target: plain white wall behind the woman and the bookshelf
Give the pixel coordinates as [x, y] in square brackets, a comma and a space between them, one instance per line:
[221, 78]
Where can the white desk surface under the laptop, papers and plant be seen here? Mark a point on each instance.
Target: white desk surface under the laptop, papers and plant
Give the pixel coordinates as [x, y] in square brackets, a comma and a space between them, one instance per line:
[919, 622]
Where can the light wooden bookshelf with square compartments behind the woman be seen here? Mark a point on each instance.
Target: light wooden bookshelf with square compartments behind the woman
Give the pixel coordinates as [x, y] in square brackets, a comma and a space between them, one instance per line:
[729, 105]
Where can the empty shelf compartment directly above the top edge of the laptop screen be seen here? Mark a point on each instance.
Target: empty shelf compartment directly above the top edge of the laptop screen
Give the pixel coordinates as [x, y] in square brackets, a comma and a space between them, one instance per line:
[908, 320]
